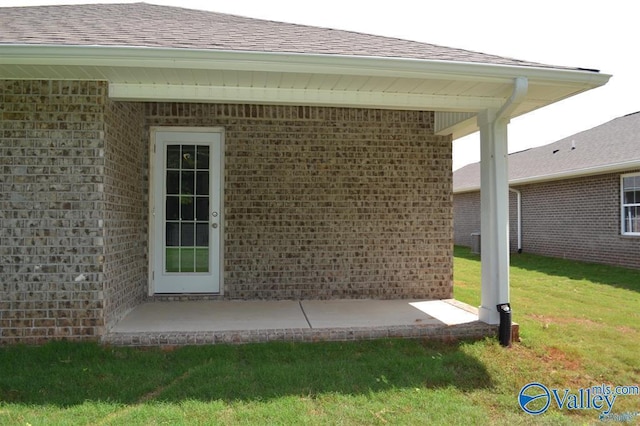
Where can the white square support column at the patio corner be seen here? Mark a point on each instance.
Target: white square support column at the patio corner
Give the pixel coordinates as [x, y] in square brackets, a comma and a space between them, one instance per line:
[494, 216]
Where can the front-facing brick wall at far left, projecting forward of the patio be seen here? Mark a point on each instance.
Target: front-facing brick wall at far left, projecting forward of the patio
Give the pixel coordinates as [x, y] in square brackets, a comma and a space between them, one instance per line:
[51, 199]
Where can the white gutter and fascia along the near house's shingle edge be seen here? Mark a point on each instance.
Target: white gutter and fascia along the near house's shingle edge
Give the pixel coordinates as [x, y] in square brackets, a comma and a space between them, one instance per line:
[145, 57]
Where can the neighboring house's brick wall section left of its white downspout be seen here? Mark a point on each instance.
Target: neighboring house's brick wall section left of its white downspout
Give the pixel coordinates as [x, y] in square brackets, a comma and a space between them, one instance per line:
[466, 218]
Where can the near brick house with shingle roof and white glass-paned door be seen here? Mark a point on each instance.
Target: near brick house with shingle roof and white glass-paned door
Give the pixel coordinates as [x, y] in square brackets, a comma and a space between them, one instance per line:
[160, 153]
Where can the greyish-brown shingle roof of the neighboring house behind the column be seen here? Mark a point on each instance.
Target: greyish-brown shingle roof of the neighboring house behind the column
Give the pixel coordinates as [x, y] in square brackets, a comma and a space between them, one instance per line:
[616, 142]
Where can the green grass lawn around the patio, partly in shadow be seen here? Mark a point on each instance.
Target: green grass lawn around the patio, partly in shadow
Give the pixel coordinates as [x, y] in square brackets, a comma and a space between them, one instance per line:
[579, 324]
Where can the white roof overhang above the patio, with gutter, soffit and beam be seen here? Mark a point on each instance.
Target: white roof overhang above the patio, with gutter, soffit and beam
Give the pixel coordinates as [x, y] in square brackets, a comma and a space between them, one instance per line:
[456, 91]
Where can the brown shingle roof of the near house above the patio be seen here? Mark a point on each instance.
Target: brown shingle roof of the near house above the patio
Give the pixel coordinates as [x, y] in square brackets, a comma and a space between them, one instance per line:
[147, 25]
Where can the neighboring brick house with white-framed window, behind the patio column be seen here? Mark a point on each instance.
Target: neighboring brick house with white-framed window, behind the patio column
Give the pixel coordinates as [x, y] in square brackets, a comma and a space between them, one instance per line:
[578, 198]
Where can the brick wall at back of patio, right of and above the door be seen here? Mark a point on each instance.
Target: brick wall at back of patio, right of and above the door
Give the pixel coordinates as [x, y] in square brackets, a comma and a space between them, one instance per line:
[330, 202]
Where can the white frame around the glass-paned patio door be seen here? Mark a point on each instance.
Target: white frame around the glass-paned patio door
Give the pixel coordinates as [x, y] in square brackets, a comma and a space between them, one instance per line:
[153, 239]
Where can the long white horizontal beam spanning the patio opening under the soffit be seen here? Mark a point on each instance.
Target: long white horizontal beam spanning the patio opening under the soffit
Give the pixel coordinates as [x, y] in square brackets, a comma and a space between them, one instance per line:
[199, 93]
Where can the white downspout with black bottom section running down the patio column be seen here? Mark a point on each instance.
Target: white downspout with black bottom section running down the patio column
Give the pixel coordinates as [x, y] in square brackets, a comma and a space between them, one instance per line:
[520, 88]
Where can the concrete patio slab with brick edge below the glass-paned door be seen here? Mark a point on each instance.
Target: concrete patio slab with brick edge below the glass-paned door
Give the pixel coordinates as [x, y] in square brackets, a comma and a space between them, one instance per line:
[211, 322]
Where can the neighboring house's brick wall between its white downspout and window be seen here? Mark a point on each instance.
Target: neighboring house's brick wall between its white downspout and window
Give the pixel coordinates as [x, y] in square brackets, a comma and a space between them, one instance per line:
[578, 219]
